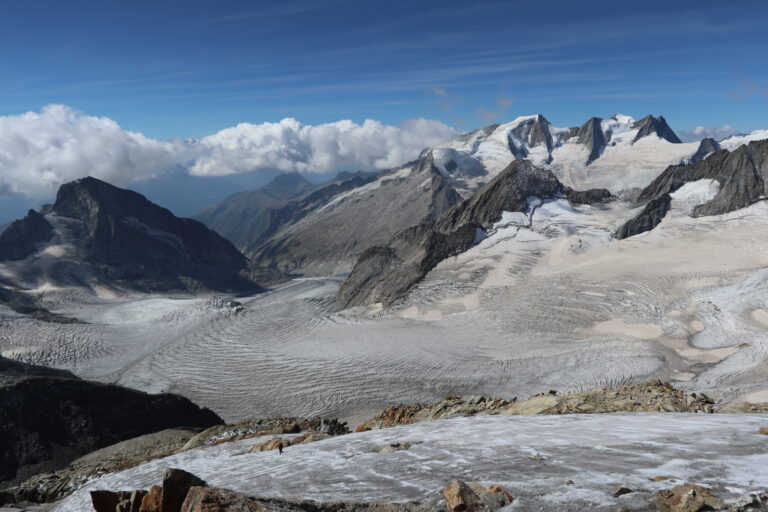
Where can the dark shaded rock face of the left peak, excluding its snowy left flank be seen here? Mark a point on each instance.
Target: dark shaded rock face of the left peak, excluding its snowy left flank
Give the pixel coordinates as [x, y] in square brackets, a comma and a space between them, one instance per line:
[138, 244]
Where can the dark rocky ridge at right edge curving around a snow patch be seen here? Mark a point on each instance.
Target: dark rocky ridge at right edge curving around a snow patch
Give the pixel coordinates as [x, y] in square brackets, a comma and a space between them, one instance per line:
[741, 174]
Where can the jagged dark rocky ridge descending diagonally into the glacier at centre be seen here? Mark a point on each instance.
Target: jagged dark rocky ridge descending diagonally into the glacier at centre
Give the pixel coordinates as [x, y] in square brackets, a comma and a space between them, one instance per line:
[386, 273]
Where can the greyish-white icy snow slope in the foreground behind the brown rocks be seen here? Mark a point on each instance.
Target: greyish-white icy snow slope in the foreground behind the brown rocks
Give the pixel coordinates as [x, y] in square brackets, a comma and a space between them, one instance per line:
[531, 456]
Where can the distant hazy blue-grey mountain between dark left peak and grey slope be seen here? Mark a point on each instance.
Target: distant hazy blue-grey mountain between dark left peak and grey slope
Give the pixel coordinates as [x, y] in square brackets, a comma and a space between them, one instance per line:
[245, 217]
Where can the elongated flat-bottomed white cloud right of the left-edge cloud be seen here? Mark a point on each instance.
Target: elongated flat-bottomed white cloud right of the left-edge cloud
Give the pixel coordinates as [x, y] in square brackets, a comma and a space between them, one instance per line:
[292, 146]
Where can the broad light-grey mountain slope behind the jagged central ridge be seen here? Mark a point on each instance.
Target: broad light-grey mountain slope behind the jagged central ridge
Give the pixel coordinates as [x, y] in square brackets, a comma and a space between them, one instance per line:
[331, 238]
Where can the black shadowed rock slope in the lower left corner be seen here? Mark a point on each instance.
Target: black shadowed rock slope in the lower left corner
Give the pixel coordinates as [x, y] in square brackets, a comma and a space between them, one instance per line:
[47, 421]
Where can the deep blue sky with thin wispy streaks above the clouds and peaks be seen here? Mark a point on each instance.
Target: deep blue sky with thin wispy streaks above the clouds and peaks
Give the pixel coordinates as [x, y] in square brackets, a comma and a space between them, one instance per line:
[188, 69]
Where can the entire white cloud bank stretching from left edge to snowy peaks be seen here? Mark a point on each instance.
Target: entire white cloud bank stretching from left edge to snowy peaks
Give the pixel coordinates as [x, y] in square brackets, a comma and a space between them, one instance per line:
[40, 151]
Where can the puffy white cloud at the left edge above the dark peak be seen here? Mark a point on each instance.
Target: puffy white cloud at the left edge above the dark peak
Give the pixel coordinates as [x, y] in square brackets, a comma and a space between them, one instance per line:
[40, 151]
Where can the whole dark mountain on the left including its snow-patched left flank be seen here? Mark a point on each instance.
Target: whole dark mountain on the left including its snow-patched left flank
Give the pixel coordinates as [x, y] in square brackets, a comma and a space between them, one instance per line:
[117, 237]
